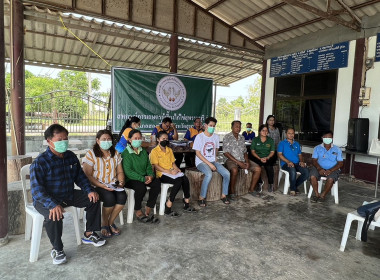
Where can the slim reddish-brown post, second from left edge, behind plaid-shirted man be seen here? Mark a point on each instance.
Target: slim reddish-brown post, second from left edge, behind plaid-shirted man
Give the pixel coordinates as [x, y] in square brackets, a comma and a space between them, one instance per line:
[17, 74]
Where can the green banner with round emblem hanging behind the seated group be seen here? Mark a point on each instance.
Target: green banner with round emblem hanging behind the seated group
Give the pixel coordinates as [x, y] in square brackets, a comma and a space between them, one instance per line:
[152, 96]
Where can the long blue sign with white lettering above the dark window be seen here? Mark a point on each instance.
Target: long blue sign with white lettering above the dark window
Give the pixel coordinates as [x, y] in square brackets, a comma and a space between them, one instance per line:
[318, 59]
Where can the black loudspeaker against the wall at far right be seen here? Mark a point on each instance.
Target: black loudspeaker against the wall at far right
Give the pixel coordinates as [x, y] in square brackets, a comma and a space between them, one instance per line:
[357, 139]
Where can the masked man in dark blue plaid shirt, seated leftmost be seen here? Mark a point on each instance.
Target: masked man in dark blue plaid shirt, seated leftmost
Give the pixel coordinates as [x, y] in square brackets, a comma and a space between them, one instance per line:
[52, 178]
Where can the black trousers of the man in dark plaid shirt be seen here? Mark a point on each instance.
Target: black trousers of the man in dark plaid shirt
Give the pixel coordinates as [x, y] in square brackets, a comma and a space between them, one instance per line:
[54, 228]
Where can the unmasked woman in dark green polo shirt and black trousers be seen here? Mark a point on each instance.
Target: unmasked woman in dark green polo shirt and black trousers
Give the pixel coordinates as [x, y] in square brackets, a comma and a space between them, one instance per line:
[262, 149]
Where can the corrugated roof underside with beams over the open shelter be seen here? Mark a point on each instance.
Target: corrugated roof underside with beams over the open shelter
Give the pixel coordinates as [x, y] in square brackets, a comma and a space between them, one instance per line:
[224, 40]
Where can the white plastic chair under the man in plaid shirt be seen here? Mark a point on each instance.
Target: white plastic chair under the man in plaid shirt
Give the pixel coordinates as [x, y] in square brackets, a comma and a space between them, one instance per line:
[34, 220]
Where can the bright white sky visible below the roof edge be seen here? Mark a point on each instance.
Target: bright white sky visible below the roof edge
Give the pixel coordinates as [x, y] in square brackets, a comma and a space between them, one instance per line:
[231, 92]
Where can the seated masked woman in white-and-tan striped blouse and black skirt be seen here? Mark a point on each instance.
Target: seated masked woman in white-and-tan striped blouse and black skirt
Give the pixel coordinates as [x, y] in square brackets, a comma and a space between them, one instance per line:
[102, 165]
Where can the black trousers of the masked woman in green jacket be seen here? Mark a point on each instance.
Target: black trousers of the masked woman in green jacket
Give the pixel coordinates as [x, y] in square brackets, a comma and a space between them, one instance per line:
[140, 190]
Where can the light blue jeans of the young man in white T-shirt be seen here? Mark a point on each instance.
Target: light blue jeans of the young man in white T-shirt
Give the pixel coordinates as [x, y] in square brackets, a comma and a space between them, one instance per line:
[205, 169]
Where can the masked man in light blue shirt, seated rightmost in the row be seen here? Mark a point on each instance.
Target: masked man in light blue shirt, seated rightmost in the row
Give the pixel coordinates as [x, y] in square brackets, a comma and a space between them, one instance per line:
[327, 161]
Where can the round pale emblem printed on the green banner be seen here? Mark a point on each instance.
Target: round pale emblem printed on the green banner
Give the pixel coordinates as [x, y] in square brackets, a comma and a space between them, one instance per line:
[171, 93]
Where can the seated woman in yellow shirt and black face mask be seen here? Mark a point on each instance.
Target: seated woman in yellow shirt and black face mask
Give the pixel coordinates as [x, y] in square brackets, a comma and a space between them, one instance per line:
[162, 158]
